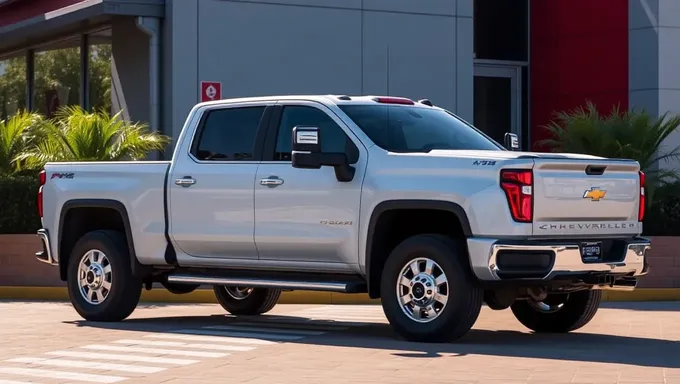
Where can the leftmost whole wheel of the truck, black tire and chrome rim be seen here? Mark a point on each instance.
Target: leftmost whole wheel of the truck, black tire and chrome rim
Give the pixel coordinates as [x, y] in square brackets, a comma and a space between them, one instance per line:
[99, 277]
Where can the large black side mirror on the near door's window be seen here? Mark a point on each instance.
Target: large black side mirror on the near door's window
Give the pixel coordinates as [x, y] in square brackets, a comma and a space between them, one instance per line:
[307, 154]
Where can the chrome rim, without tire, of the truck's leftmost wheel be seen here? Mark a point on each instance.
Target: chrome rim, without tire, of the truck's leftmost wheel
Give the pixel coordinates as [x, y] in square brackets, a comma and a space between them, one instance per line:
[95, 276]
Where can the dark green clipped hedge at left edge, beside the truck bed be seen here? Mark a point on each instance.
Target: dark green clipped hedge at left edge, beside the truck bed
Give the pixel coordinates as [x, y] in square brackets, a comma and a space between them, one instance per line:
[18, 204]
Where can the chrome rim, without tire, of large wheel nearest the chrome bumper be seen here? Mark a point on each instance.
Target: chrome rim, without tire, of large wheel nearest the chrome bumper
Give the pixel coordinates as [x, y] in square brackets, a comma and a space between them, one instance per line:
[422, 290]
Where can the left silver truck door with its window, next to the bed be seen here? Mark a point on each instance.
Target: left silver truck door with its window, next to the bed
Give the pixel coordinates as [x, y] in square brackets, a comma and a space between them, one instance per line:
[211, 185]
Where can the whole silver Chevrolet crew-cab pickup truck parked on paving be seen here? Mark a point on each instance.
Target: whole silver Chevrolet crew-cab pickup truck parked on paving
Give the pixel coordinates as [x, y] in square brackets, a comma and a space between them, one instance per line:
[385, 196]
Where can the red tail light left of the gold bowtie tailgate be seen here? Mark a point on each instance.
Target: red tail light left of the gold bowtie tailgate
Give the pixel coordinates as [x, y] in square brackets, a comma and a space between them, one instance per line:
[518, 185]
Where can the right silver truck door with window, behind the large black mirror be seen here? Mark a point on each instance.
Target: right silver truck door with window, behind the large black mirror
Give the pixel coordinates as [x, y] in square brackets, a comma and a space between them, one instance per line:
[307, 215]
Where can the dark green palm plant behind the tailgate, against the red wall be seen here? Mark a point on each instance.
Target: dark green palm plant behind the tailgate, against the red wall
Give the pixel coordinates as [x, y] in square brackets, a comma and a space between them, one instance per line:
[624, 135]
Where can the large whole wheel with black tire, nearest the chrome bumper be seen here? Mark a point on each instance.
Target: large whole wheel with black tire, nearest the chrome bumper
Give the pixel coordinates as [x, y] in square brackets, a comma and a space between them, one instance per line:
[428, 292]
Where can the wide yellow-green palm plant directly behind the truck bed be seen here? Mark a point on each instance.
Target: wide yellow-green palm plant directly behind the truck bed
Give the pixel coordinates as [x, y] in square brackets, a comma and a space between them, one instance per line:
[78, 135]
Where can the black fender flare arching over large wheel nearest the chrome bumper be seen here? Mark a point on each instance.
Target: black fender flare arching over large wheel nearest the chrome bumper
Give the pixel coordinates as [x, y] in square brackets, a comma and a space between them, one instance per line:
[390, 205]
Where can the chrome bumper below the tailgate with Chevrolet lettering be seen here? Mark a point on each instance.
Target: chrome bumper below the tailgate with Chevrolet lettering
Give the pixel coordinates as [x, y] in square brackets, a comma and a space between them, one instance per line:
[548, 260]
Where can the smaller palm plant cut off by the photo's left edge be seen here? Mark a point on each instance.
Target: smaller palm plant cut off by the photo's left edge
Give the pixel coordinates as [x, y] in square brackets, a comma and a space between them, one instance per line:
[17, 133]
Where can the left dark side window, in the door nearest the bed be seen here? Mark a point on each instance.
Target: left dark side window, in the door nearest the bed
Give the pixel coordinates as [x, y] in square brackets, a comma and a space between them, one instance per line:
[228, 134]
